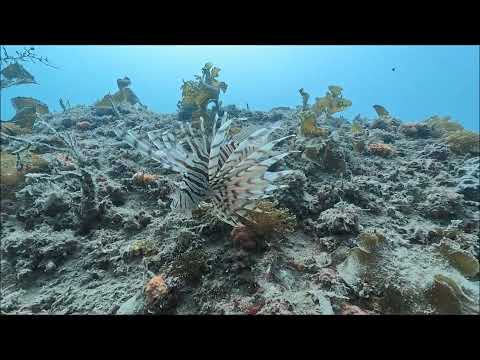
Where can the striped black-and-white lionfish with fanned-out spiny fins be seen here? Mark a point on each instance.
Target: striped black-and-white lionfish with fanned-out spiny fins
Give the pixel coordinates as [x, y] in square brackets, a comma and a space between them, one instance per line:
[231, 171]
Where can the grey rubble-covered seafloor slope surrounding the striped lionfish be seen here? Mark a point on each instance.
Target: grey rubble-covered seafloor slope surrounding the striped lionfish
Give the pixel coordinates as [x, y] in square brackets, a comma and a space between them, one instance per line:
[388, 227]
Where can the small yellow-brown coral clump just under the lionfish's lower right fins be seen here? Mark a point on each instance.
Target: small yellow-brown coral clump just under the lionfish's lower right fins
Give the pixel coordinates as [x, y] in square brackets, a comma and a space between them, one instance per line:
[266, 219]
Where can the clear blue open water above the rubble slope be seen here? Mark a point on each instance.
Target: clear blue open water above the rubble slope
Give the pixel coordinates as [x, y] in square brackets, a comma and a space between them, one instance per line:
[412, 82]
